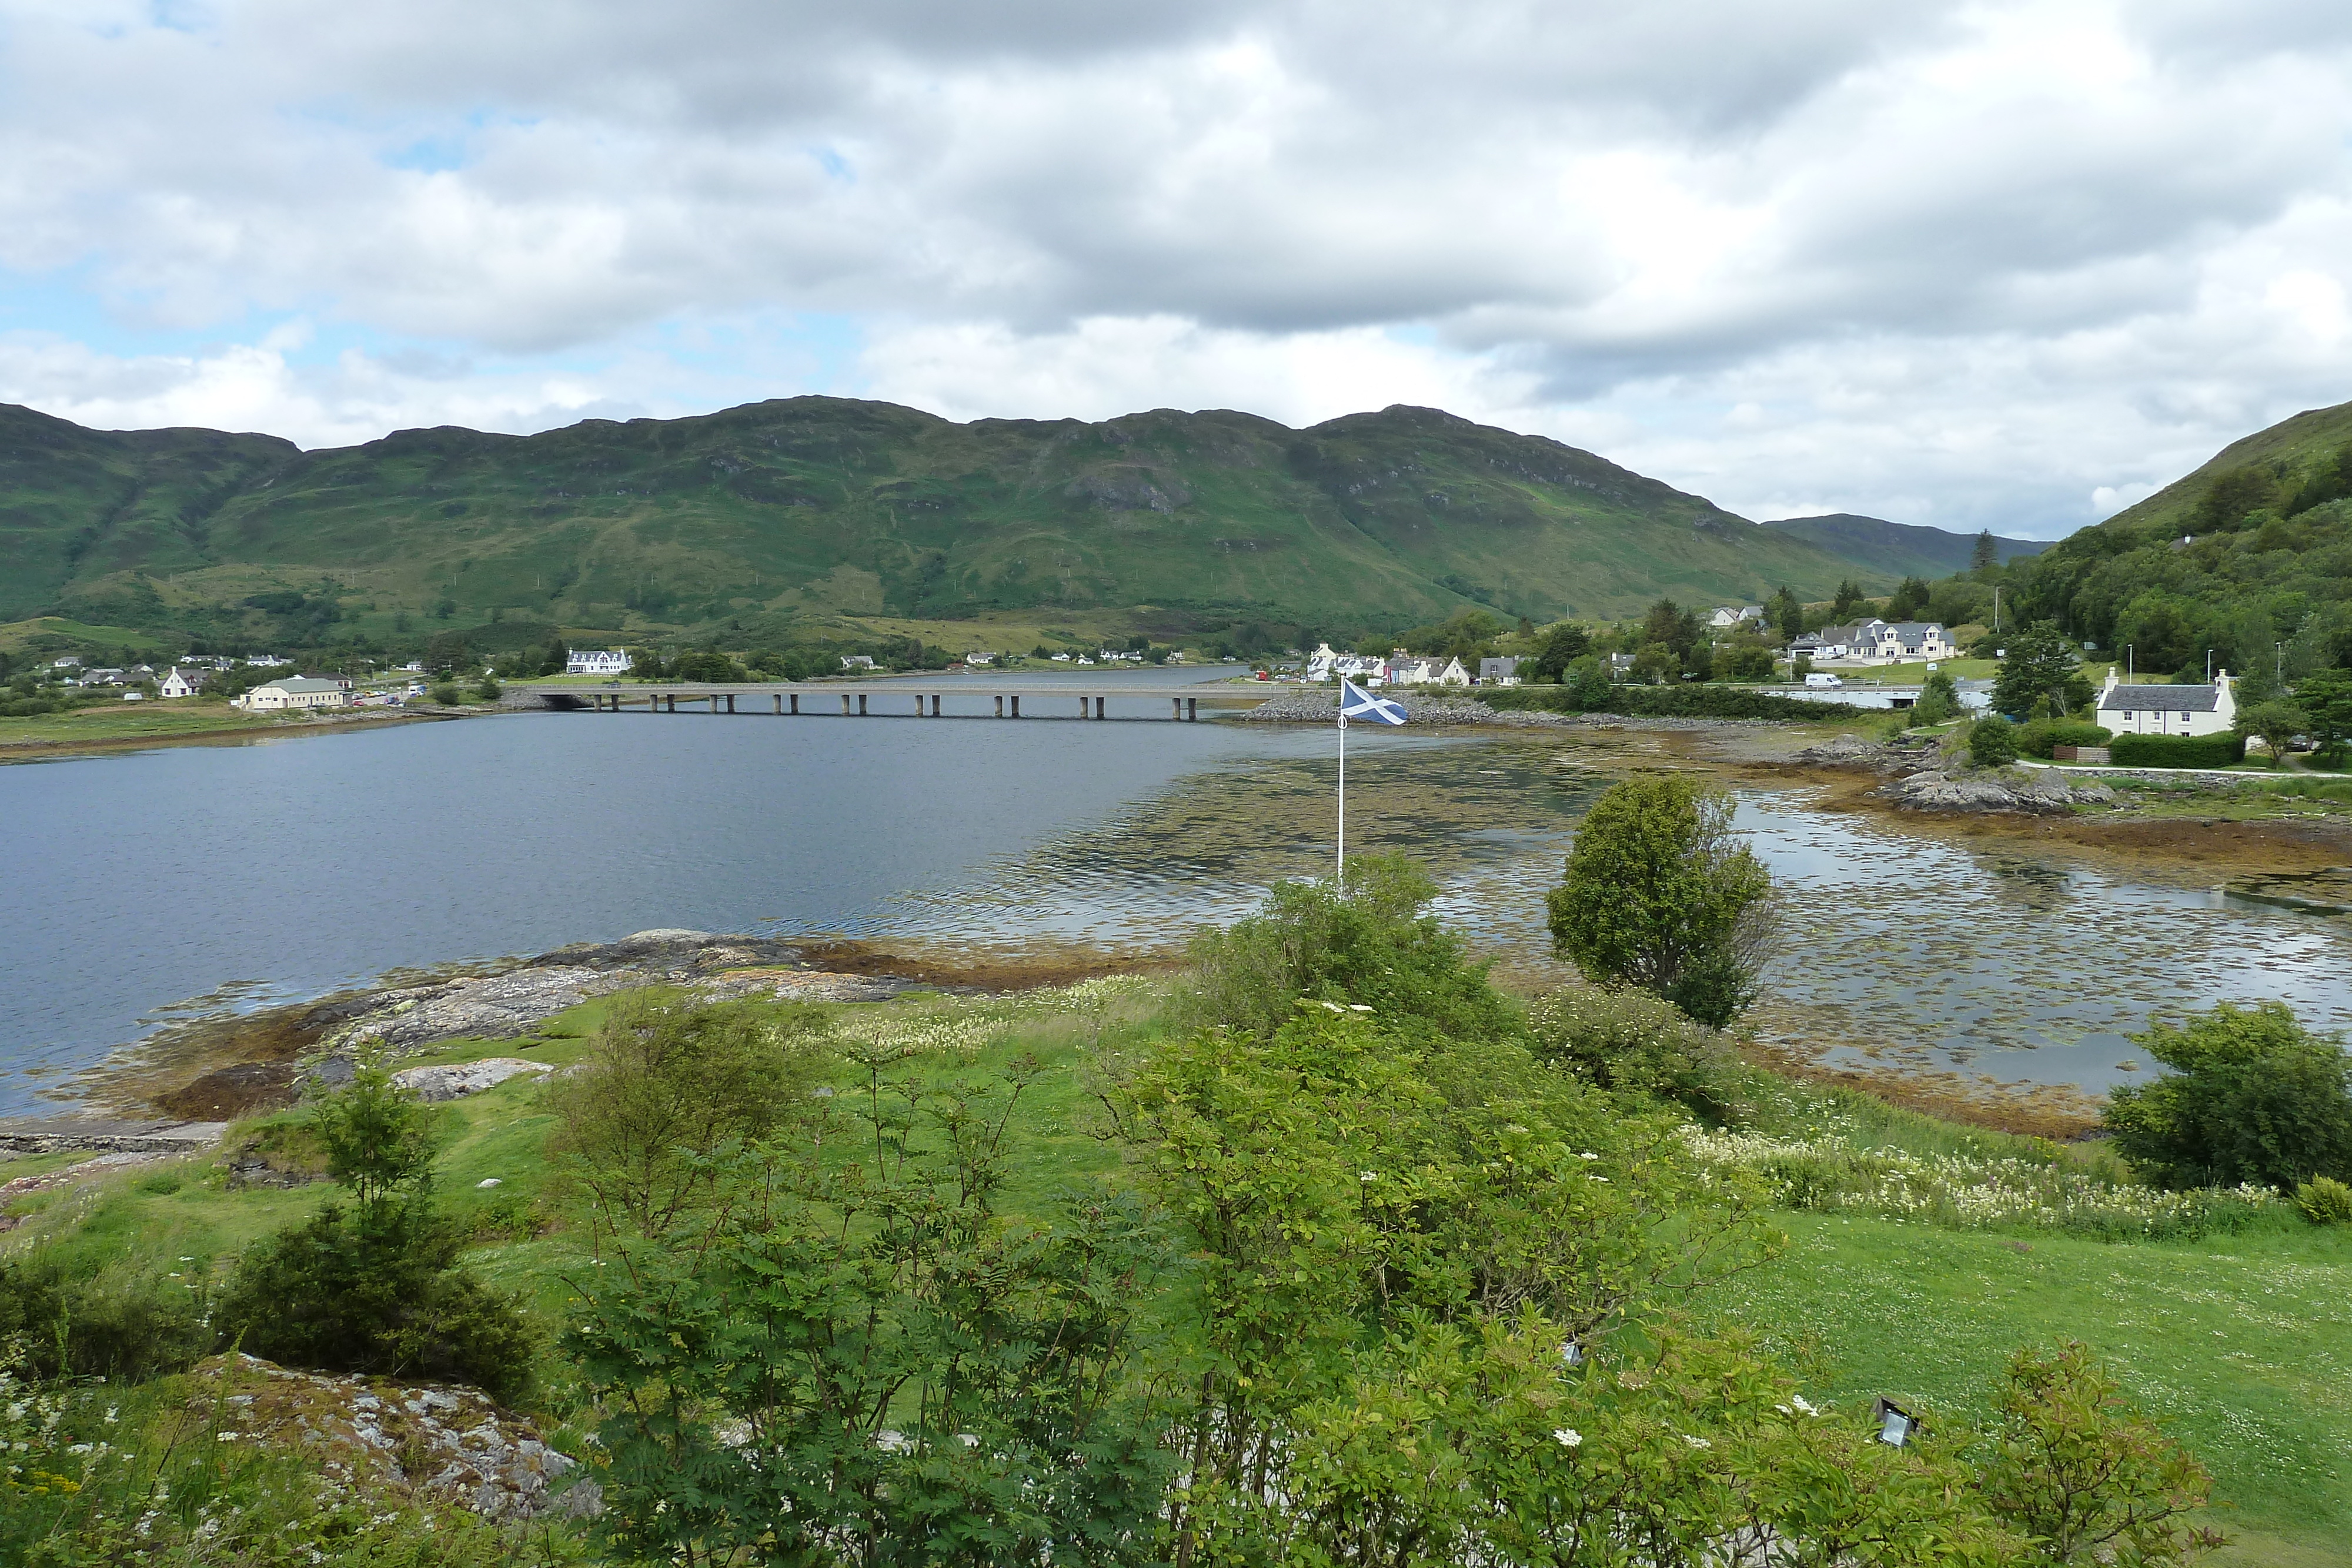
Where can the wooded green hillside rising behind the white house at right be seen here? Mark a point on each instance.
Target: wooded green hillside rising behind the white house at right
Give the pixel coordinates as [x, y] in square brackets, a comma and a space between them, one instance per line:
[2247, 561]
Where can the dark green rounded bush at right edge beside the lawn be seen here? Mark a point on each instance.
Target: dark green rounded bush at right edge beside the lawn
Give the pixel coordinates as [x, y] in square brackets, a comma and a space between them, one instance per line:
[2250, 1099]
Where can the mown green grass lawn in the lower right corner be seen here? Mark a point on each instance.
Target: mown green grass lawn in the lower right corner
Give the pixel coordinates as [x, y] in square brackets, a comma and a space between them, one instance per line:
[2240, 1343]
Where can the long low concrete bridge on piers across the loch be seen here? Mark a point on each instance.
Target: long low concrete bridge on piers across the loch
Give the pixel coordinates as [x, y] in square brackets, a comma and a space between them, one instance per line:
[907, 699]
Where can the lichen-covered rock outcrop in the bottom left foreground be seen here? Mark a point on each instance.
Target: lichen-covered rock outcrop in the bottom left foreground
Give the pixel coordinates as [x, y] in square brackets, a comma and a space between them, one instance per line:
[403, 1438]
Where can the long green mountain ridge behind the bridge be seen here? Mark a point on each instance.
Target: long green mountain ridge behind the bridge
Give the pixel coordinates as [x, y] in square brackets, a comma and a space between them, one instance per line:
[822, 507]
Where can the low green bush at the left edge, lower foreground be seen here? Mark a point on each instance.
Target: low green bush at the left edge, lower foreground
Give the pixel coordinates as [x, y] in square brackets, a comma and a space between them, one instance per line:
[86, 1315]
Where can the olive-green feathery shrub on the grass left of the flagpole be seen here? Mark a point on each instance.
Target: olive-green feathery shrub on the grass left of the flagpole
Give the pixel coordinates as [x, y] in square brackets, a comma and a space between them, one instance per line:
[671, 1085]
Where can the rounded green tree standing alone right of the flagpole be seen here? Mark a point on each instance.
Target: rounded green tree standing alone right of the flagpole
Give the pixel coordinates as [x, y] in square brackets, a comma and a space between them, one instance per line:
[1659, 894]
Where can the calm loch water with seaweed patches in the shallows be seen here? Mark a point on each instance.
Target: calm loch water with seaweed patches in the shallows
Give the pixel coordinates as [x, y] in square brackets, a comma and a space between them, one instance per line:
[135, 890]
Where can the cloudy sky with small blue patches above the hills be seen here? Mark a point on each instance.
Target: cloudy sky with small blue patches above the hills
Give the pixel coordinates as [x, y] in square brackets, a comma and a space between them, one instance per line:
[1965, 264]
